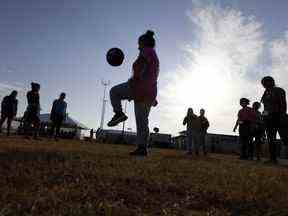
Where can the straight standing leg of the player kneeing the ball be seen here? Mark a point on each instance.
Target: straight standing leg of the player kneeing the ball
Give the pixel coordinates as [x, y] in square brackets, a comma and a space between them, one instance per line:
[142, 111]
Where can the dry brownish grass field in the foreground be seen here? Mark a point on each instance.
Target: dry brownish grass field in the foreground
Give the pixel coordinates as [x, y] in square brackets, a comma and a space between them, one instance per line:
[81, 178]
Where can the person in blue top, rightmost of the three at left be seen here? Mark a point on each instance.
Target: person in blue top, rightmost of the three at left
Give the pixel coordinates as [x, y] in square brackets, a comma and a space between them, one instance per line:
[58, 115]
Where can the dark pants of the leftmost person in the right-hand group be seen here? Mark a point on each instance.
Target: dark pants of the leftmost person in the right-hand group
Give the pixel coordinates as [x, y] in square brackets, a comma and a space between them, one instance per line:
[247, 149]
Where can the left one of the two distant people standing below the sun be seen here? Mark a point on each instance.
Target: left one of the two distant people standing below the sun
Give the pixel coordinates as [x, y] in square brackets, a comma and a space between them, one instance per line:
[192, 132]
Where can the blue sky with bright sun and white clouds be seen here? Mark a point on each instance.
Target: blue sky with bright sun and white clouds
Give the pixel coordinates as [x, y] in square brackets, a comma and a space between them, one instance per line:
[62, 45]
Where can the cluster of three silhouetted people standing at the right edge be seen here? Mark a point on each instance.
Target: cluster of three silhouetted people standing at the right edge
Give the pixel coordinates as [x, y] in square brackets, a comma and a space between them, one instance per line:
[255, 126]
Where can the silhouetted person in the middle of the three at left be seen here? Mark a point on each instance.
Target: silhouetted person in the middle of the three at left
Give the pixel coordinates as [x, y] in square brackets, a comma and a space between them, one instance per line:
[31, 116]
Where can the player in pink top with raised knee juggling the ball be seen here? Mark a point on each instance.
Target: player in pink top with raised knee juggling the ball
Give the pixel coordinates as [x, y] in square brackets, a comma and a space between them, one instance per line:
[142, 88]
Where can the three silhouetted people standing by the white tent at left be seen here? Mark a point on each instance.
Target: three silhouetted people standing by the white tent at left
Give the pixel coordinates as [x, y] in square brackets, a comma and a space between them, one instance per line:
[31, 121]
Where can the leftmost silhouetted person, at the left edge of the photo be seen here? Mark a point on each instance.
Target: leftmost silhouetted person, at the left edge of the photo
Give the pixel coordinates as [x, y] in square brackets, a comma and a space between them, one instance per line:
[8, 110]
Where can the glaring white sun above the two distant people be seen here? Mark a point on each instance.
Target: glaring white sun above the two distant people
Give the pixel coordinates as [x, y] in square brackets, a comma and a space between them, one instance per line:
[204, 84]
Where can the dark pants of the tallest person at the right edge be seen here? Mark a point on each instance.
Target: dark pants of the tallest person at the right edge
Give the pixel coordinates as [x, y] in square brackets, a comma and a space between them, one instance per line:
[274, 124]
